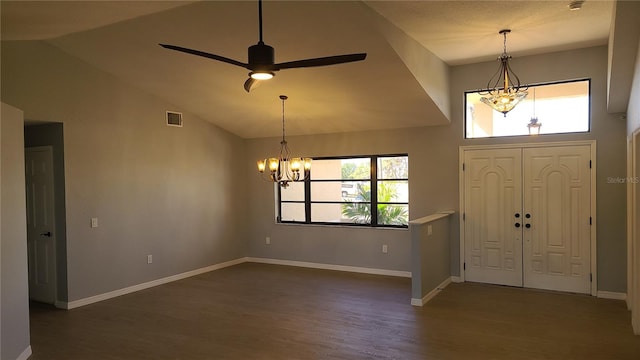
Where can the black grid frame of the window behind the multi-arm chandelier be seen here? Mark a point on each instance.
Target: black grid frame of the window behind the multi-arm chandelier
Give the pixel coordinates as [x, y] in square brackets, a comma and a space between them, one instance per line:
[372, 180]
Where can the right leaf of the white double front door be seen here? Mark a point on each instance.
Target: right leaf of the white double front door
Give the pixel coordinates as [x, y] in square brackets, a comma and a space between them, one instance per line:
[557, 207]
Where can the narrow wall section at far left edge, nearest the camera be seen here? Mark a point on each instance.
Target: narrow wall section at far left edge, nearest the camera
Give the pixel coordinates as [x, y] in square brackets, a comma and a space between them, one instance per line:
[14, 293]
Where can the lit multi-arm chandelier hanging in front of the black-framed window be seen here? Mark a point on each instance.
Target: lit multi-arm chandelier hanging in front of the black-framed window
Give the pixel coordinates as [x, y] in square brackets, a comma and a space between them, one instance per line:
[284, 169]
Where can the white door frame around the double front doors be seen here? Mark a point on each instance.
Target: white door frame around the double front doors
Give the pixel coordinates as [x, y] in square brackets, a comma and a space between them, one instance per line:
[593, 240]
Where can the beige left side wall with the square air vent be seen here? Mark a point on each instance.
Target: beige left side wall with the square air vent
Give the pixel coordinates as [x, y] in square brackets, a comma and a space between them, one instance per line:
[156, 190]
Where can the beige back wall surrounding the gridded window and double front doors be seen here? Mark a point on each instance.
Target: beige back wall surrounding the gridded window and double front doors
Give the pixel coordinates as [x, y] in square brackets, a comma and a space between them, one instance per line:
[434, 171]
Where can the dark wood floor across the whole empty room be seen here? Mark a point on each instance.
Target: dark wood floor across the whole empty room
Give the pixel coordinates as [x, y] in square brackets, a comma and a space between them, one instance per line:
[258, 311]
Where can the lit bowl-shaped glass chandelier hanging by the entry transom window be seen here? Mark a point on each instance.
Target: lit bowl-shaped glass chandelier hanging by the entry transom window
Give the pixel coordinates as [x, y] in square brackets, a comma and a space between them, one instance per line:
[504, 91]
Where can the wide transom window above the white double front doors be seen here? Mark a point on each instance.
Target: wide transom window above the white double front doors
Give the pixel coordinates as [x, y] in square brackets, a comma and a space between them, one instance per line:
[559, 108]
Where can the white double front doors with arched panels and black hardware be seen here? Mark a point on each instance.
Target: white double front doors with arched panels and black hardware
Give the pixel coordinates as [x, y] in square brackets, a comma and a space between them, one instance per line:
[527, 217]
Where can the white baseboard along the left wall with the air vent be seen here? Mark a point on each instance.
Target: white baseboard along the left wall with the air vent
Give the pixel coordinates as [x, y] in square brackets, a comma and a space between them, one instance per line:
[93, 299]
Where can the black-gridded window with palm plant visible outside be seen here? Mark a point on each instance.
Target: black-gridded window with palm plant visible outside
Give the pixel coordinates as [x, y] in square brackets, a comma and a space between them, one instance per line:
[344, 190]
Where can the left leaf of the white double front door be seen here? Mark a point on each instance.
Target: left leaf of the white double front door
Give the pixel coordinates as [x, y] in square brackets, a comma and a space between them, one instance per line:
[493, 203]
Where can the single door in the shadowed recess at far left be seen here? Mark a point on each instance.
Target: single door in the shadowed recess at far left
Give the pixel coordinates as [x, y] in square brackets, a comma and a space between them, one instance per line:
[40, 224]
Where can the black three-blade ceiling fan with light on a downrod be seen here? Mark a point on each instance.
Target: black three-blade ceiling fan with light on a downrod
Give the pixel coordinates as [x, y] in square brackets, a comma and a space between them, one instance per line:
[261, 62]
